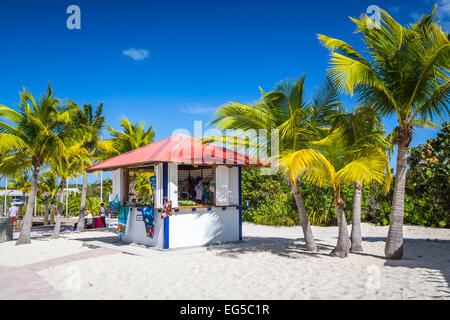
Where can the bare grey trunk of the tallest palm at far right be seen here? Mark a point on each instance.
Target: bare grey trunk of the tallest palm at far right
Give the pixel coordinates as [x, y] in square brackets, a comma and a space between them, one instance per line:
[394, 243]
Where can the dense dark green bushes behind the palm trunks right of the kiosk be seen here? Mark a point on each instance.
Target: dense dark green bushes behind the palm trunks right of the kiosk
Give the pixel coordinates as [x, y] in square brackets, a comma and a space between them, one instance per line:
[427, 198]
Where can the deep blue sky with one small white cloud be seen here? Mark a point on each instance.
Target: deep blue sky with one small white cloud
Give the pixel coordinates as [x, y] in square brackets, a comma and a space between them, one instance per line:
[172, 62]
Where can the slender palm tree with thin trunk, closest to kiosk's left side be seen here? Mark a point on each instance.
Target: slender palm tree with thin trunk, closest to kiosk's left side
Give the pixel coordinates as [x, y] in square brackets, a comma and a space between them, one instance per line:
[90, 124]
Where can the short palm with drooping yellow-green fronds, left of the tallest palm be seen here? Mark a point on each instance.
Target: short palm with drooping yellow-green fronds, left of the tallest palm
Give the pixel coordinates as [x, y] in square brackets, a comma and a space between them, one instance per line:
[340, 165]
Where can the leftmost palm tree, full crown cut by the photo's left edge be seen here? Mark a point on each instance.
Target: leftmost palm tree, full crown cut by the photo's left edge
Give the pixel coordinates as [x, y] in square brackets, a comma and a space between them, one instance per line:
[30, 134]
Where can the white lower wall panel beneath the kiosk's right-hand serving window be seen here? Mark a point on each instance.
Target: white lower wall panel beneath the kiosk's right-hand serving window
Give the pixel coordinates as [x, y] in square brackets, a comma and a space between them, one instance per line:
[201, 227]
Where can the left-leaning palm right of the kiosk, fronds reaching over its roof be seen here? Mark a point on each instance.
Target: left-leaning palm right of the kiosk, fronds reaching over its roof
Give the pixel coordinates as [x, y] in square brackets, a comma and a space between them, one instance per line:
[285, 109]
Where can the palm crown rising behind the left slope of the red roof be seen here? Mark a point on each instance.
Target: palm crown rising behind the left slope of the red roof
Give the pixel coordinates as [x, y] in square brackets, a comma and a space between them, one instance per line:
[132, 136]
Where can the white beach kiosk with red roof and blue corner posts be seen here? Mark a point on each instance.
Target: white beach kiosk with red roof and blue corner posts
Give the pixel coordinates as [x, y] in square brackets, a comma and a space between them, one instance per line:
[207, 176]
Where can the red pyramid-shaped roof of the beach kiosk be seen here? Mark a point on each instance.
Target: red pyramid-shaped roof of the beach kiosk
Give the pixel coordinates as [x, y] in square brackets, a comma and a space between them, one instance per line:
[178, 148]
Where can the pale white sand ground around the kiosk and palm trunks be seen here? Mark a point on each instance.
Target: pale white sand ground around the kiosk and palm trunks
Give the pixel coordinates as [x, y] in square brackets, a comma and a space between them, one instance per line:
[270, 263]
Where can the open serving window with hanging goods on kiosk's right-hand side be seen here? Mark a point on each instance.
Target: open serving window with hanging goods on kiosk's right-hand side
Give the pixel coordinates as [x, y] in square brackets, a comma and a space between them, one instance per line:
[196, 185]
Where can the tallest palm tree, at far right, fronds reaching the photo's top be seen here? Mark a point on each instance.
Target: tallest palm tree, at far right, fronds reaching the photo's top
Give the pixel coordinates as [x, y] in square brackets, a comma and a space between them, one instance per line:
[406, 74]
